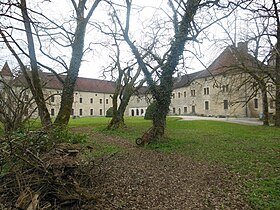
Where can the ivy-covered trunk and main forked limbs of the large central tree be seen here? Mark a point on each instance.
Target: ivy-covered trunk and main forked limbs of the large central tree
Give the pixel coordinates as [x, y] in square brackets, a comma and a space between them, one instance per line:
[162, 92]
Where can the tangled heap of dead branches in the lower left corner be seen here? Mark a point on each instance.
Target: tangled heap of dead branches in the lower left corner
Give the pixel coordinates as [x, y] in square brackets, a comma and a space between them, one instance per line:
[44, 177]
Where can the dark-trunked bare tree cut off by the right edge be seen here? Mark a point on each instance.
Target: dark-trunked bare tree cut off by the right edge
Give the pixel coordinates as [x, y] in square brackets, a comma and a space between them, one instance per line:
[266, 15]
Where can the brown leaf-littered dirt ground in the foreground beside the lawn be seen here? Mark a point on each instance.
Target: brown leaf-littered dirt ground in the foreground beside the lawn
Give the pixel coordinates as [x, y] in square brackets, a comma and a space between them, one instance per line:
[140, 178]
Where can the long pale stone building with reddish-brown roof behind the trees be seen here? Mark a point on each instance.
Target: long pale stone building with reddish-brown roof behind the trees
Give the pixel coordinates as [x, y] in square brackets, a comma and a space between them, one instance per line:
[225, 88]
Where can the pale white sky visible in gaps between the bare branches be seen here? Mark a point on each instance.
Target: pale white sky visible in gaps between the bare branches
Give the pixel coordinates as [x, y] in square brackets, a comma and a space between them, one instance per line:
[95, 60]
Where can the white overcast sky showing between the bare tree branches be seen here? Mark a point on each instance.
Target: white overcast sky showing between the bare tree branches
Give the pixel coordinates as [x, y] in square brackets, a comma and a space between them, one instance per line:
[99, 57]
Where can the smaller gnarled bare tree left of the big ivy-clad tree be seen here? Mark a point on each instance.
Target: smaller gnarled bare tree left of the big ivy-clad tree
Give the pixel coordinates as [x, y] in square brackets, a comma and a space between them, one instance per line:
[127, 72]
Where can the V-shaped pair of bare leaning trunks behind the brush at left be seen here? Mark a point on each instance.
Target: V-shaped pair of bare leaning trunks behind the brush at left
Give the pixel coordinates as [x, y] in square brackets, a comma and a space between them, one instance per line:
[37, 28]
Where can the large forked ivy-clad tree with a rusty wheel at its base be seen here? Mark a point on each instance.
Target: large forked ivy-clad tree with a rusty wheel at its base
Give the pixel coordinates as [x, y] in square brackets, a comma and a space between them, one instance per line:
[185, 29]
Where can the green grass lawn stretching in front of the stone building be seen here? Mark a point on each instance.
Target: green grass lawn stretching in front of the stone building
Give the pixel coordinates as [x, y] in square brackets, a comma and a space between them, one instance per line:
[251, 151]
